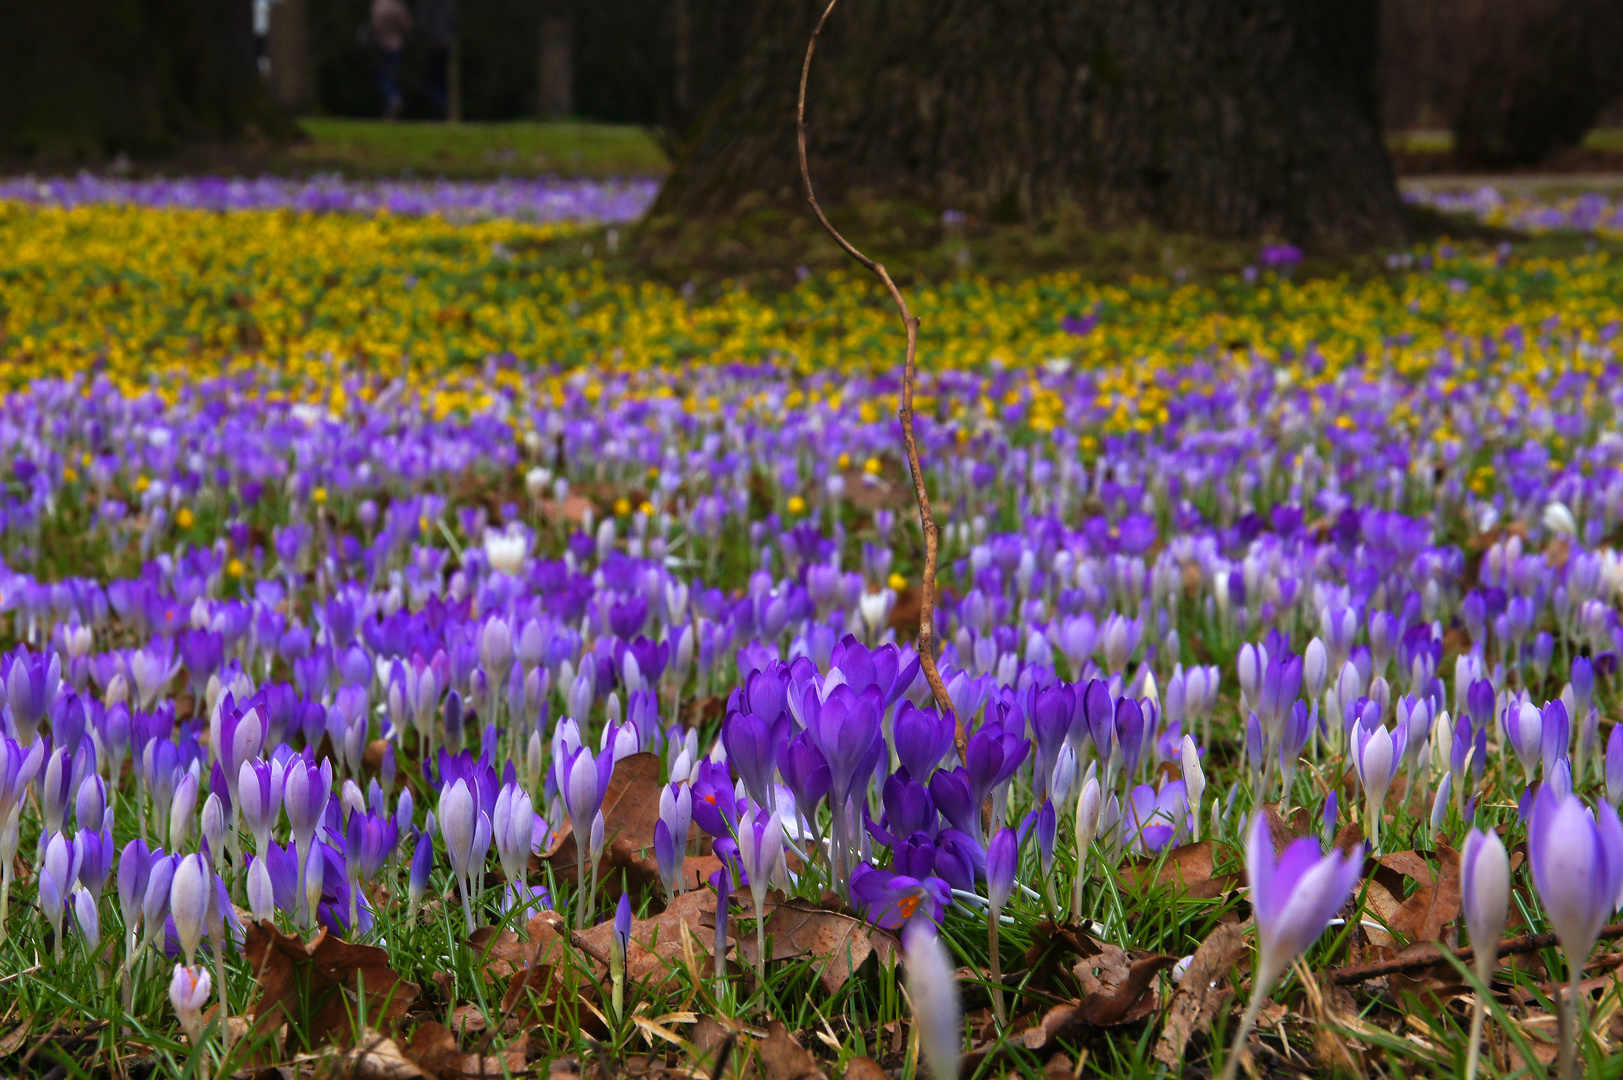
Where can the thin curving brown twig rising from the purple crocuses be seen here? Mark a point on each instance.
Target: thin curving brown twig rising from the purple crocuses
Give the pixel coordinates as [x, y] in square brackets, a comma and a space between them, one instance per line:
[906, 415]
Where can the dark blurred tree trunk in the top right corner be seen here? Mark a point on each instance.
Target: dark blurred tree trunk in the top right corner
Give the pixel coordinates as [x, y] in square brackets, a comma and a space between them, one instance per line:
[1536, 76]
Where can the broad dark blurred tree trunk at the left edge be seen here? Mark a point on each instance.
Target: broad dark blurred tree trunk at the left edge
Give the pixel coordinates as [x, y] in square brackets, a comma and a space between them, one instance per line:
[85, 79]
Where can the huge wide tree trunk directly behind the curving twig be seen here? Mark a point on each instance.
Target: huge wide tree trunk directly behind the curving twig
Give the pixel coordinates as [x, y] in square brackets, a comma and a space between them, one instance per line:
[1200, 116]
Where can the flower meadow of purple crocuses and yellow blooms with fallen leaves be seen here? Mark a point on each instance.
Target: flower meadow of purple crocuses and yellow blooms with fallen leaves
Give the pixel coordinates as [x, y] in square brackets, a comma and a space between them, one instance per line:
[428, 657]
